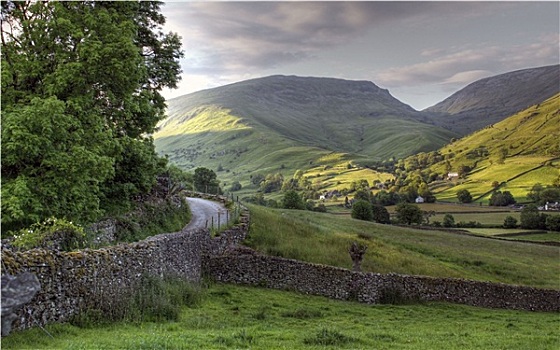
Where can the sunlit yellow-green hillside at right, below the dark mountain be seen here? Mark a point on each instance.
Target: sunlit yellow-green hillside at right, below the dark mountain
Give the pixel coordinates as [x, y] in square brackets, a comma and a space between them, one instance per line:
[515, 153]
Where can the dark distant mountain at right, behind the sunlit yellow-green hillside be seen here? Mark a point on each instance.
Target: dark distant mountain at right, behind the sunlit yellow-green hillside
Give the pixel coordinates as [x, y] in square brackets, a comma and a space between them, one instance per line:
[490, 100]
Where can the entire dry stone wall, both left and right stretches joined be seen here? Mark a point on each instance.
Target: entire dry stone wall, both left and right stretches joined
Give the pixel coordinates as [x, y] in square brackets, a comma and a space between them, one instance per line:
[73, 281]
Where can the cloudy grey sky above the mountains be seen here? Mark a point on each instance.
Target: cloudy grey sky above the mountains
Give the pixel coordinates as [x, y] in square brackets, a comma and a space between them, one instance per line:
[422, 52]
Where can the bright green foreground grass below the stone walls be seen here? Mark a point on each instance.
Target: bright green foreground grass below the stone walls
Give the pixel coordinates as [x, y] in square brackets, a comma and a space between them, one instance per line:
[237, 317]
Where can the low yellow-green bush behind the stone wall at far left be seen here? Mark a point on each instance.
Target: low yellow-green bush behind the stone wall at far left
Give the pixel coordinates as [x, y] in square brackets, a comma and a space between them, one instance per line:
[52, 233]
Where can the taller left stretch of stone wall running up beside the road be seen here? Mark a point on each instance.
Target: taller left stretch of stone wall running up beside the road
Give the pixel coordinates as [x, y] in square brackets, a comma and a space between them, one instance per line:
[73, 281]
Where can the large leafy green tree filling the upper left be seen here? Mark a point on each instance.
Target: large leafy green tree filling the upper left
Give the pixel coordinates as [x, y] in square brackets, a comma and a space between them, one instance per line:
[81, 86]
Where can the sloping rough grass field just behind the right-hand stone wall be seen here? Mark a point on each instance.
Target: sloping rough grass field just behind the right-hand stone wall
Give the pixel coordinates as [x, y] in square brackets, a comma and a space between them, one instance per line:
[324, 238]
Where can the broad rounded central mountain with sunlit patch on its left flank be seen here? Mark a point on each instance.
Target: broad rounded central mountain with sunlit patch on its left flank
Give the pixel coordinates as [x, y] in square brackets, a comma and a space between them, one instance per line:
[289, 122]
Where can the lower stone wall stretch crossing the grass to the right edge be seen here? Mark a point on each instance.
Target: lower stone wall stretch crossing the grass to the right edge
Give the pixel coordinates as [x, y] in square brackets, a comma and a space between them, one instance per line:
[248, 267]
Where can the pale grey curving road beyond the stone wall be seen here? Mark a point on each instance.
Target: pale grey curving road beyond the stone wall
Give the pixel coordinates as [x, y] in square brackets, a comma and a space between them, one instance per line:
[202, 211]
